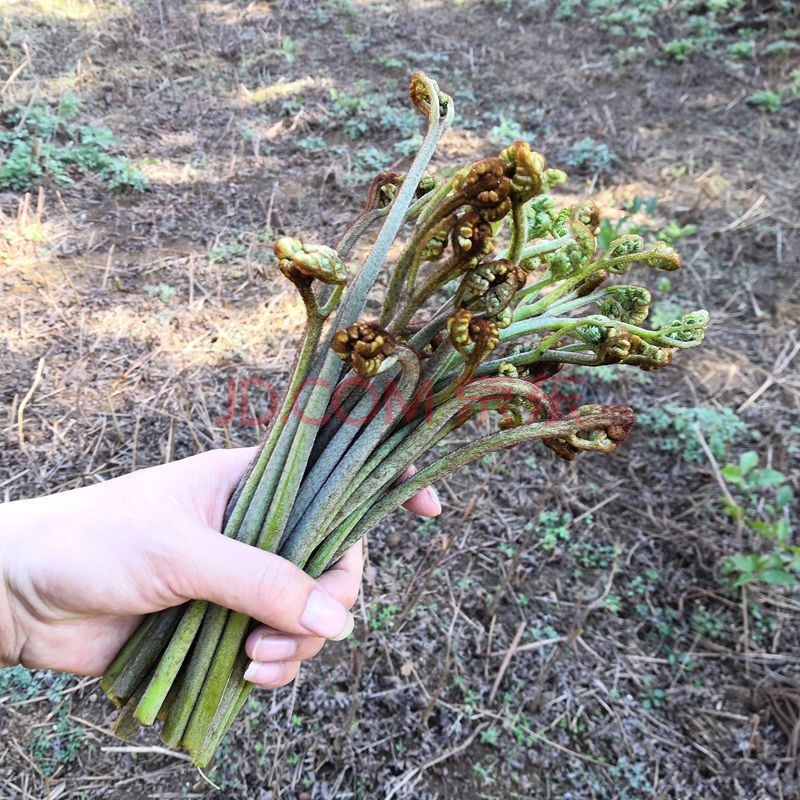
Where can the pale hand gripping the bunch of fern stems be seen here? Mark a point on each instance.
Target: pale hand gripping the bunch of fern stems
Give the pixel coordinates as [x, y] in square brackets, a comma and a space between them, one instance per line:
[79, 569]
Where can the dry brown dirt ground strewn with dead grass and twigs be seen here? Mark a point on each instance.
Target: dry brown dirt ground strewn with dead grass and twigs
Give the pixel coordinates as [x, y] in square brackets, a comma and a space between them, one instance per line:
[636, 671]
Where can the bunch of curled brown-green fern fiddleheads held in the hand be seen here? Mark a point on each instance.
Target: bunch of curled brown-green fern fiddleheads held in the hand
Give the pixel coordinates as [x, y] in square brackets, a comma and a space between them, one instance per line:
[495, 289]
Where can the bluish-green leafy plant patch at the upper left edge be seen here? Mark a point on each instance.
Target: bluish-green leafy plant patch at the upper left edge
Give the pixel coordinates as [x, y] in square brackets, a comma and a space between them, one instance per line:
[42, 143]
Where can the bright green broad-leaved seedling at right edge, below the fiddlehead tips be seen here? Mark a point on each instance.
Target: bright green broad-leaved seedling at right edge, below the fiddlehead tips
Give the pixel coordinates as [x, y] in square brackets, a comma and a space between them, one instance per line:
[763, 504]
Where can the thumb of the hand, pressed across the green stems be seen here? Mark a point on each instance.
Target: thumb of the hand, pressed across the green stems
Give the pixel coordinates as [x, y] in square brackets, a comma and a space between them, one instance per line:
[262, 585]
